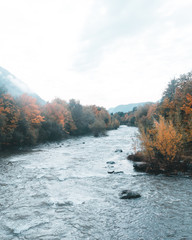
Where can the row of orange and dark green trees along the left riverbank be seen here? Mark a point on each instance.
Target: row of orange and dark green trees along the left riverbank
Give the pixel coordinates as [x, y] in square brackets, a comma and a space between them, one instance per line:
[24, 122]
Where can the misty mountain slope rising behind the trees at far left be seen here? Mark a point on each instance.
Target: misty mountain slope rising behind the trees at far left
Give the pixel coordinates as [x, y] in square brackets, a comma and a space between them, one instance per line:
[16, 87]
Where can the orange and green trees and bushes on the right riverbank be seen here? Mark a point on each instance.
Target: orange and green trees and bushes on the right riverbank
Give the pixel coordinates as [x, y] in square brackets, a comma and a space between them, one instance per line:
[165, 129]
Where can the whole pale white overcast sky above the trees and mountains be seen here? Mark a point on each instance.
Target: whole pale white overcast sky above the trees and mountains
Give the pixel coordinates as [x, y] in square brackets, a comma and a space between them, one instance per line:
[103, 52]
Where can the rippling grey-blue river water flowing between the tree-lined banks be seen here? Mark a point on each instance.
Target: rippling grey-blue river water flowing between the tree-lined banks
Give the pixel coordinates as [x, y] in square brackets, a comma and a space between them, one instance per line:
[64, 191]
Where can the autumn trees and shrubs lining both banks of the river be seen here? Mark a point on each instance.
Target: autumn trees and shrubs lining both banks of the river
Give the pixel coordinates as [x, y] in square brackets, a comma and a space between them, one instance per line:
[165, 127]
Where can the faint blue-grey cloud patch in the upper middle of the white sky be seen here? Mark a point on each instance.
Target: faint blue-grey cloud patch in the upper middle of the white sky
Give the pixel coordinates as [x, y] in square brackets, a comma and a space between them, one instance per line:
[123, 19]
